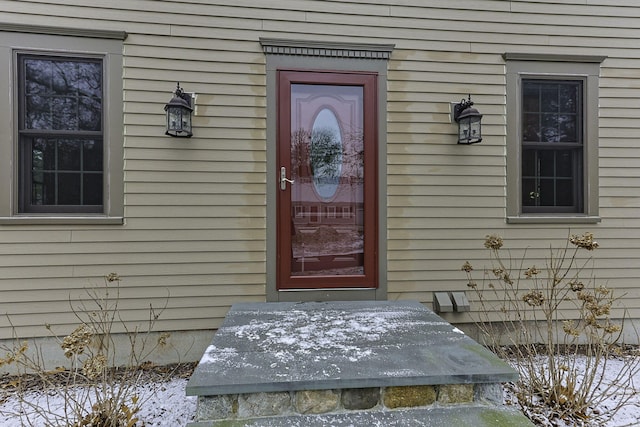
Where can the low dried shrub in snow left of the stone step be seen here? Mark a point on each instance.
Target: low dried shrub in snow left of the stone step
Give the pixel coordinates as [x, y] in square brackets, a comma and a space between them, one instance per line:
[96, 389]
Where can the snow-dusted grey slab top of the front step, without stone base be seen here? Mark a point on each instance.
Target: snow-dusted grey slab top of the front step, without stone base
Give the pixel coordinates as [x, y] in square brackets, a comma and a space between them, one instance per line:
[270, 347]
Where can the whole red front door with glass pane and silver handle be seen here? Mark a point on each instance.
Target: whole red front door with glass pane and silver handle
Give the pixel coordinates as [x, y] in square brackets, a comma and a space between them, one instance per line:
[326, 170]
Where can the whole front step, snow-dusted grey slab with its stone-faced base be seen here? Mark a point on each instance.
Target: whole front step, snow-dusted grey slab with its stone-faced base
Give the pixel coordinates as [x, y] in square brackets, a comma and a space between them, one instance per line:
[338, 359]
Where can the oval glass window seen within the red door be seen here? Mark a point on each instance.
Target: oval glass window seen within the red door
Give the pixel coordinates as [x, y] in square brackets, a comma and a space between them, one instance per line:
[326, 154]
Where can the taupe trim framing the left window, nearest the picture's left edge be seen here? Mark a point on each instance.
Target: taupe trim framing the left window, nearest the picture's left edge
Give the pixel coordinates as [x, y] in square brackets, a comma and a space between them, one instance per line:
[36, 39]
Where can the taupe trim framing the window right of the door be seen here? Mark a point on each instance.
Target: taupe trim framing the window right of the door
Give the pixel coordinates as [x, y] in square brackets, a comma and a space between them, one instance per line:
[525, 66]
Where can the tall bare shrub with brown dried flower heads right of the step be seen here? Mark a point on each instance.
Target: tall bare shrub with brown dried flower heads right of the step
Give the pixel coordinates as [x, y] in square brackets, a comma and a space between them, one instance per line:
[554, 322]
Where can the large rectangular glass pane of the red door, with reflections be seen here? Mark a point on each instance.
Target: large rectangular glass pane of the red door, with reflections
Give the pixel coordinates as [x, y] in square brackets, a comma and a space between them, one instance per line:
[327, 153]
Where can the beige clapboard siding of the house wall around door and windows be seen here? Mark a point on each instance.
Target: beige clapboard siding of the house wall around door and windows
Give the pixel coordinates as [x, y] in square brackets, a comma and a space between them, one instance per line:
[194, 226]
